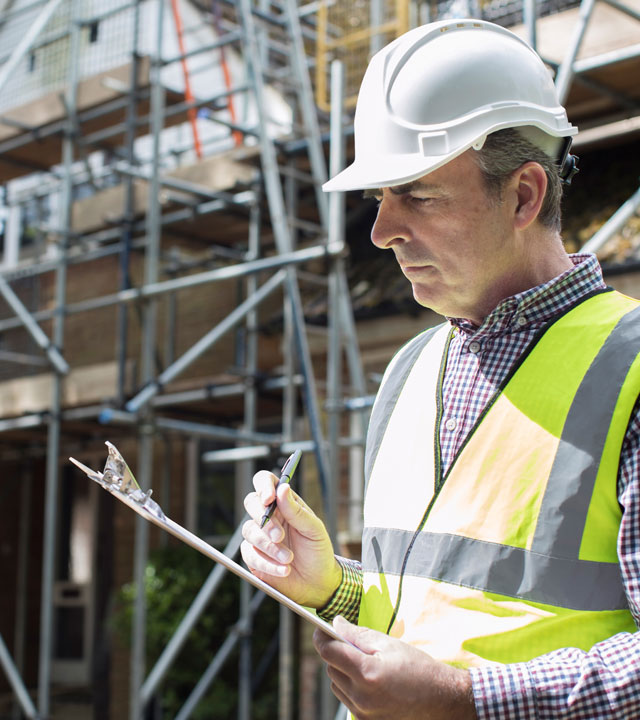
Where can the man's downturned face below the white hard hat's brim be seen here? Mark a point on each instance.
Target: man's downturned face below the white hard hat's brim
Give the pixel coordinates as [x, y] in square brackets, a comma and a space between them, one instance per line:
[454, 243]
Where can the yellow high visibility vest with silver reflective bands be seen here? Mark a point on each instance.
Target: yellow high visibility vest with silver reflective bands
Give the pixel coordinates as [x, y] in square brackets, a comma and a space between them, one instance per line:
[512, 553]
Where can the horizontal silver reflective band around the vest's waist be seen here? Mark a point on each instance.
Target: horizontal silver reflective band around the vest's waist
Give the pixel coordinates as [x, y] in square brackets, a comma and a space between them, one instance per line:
[500, 569]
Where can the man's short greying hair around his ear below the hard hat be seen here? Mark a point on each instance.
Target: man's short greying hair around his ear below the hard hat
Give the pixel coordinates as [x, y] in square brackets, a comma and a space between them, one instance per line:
[505, 151]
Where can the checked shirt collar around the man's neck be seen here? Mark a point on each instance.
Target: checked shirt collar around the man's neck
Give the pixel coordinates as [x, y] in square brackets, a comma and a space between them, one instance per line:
[542, 302]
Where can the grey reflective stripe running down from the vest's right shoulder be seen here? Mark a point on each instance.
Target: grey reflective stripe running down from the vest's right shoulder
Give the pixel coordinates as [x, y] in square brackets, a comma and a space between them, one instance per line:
[563, 512]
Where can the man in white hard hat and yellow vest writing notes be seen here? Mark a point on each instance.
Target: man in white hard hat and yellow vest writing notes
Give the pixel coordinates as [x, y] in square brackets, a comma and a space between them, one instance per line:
[501, 550]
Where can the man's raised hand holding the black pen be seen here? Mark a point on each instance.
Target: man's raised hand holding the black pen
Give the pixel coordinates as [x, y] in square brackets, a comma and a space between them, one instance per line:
[293, 551]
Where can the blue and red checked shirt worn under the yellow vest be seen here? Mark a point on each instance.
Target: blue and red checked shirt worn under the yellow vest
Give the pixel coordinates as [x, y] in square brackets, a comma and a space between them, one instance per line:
[567, 683]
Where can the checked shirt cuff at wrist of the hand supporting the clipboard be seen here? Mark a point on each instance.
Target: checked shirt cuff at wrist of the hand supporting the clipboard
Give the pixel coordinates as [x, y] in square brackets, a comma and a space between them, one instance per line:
[504, 692]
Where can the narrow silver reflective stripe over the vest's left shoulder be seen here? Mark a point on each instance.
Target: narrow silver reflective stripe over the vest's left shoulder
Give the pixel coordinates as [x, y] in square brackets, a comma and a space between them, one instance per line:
[388, 396]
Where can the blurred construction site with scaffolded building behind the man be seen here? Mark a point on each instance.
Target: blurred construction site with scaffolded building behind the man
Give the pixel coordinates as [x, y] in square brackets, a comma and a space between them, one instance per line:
[174, 281]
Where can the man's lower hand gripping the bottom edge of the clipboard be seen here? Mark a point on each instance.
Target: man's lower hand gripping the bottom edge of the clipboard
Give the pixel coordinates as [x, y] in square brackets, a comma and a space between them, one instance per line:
[390, 679]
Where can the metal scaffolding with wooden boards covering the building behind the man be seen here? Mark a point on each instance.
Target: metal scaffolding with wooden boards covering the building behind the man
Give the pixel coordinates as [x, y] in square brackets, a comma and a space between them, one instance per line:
[249, 223]
